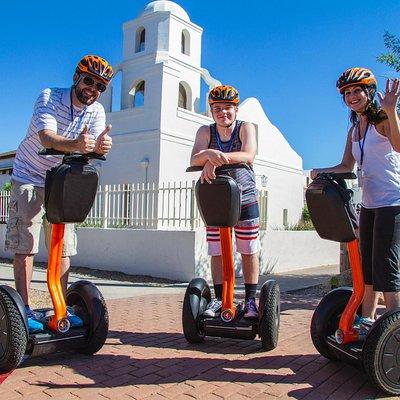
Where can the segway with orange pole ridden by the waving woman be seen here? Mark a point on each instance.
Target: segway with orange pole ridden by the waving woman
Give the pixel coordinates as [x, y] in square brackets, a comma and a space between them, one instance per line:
[332, 326]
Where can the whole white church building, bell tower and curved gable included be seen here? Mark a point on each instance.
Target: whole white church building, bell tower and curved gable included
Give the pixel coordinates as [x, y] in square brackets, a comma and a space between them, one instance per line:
[159, 114]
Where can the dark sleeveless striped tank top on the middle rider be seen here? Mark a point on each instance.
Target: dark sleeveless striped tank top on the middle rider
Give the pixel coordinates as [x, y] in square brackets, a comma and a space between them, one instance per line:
[244, 177]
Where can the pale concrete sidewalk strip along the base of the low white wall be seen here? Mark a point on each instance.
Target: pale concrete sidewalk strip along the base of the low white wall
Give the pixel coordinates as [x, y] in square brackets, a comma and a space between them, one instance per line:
[114, 289]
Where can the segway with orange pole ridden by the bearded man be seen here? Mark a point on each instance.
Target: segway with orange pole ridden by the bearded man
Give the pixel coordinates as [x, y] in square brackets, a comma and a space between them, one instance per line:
[70, 189]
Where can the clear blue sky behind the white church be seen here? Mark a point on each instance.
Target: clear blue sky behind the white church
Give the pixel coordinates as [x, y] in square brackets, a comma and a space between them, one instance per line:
[288, 54]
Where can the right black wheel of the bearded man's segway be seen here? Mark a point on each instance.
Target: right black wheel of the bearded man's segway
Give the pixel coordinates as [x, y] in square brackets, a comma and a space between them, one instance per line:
[89, 304]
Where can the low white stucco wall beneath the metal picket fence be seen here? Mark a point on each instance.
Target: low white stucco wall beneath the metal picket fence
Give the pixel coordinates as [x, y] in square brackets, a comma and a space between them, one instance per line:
[181, 255]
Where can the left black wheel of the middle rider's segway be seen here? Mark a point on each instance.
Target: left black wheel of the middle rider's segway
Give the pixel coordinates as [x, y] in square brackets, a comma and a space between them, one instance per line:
[197, 296]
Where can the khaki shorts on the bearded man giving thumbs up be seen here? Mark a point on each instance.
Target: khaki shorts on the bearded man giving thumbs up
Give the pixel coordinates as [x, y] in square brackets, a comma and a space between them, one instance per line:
[26, 216]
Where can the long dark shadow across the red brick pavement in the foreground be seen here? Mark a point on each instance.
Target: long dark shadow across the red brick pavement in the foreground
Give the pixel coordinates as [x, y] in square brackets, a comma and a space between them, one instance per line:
[303, 370]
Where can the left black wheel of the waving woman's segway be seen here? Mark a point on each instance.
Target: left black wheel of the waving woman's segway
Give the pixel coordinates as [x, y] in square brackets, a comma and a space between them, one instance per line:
[326, 317]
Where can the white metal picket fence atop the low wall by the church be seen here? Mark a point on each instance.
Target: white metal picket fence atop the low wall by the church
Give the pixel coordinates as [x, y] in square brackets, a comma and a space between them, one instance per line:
[139, 206]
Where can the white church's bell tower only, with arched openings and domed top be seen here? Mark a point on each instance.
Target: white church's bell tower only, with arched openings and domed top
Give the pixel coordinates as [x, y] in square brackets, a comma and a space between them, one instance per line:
[160, 91]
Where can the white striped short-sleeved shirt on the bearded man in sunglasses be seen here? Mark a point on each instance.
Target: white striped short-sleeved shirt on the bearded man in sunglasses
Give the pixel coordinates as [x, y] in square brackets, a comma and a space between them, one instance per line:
[53, 111]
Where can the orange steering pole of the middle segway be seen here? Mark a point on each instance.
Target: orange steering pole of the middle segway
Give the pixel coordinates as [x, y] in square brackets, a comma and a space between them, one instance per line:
[228, 308]
